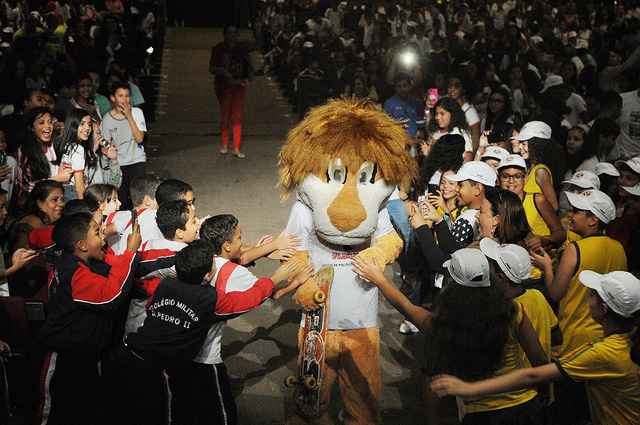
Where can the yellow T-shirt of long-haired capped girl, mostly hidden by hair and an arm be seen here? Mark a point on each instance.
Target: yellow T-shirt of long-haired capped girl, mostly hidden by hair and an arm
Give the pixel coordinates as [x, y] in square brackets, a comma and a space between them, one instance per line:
[511, 360]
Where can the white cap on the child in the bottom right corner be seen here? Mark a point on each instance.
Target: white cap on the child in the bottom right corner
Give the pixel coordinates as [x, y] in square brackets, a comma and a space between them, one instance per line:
[619, 290]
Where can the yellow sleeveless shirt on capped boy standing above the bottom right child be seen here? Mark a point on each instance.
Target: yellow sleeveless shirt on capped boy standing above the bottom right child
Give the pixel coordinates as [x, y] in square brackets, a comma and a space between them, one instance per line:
[602, 255]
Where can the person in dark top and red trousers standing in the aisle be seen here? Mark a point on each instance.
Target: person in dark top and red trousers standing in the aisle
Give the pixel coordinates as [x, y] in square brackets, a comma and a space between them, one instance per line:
[230, 64]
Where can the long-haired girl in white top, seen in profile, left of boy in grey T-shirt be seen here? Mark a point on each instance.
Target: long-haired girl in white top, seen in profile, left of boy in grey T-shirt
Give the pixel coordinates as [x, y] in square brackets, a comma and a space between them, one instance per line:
[76, 151]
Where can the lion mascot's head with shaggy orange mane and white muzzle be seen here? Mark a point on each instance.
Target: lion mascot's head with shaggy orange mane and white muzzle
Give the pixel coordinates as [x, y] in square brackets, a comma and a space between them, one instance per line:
[343, 161]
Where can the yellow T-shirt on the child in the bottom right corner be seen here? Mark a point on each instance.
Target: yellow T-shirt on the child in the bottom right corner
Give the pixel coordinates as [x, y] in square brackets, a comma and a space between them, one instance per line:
[611, 379]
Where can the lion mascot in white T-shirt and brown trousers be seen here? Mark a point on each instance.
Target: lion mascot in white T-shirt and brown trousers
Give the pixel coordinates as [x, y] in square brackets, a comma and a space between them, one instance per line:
[343, 161]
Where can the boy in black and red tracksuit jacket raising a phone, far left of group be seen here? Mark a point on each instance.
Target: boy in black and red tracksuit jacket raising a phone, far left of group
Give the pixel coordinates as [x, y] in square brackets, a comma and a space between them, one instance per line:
[89, 286]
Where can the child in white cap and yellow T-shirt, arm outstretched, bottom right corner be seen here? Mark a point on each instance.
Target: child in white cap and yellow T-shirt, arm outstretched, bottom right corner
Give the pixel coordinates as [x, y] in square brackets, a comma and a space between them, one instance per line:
[607, 366]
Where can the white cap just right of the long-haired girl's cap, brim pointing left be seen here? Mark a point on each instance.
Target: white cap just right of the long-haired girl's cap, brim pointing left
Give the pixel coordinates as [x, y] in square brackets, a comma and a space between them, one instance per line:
[513, 259]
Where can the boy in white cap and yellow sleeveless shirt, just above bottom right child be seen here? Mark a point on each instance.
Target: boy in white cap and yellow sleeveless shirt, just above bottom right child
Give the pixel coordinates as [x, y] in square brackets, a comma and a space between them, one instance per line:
[592, 210]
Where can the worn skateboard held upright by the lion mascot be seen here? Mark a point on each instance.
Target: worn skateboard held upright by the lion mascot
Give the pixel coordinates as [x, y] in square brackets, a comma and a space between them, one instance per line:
[311, 358]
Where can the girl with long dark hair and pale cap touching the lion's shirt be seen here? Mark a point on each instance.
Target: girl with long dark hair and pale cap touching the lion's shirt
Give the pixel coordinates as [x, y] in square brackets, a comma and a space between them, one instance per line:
[473, 329]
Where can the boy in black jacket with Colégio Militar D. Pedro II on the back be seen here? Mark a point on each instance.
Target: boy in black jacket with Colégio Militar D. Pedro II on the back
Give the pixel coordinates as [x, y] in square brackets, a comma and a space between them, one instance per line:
[179, 317]
